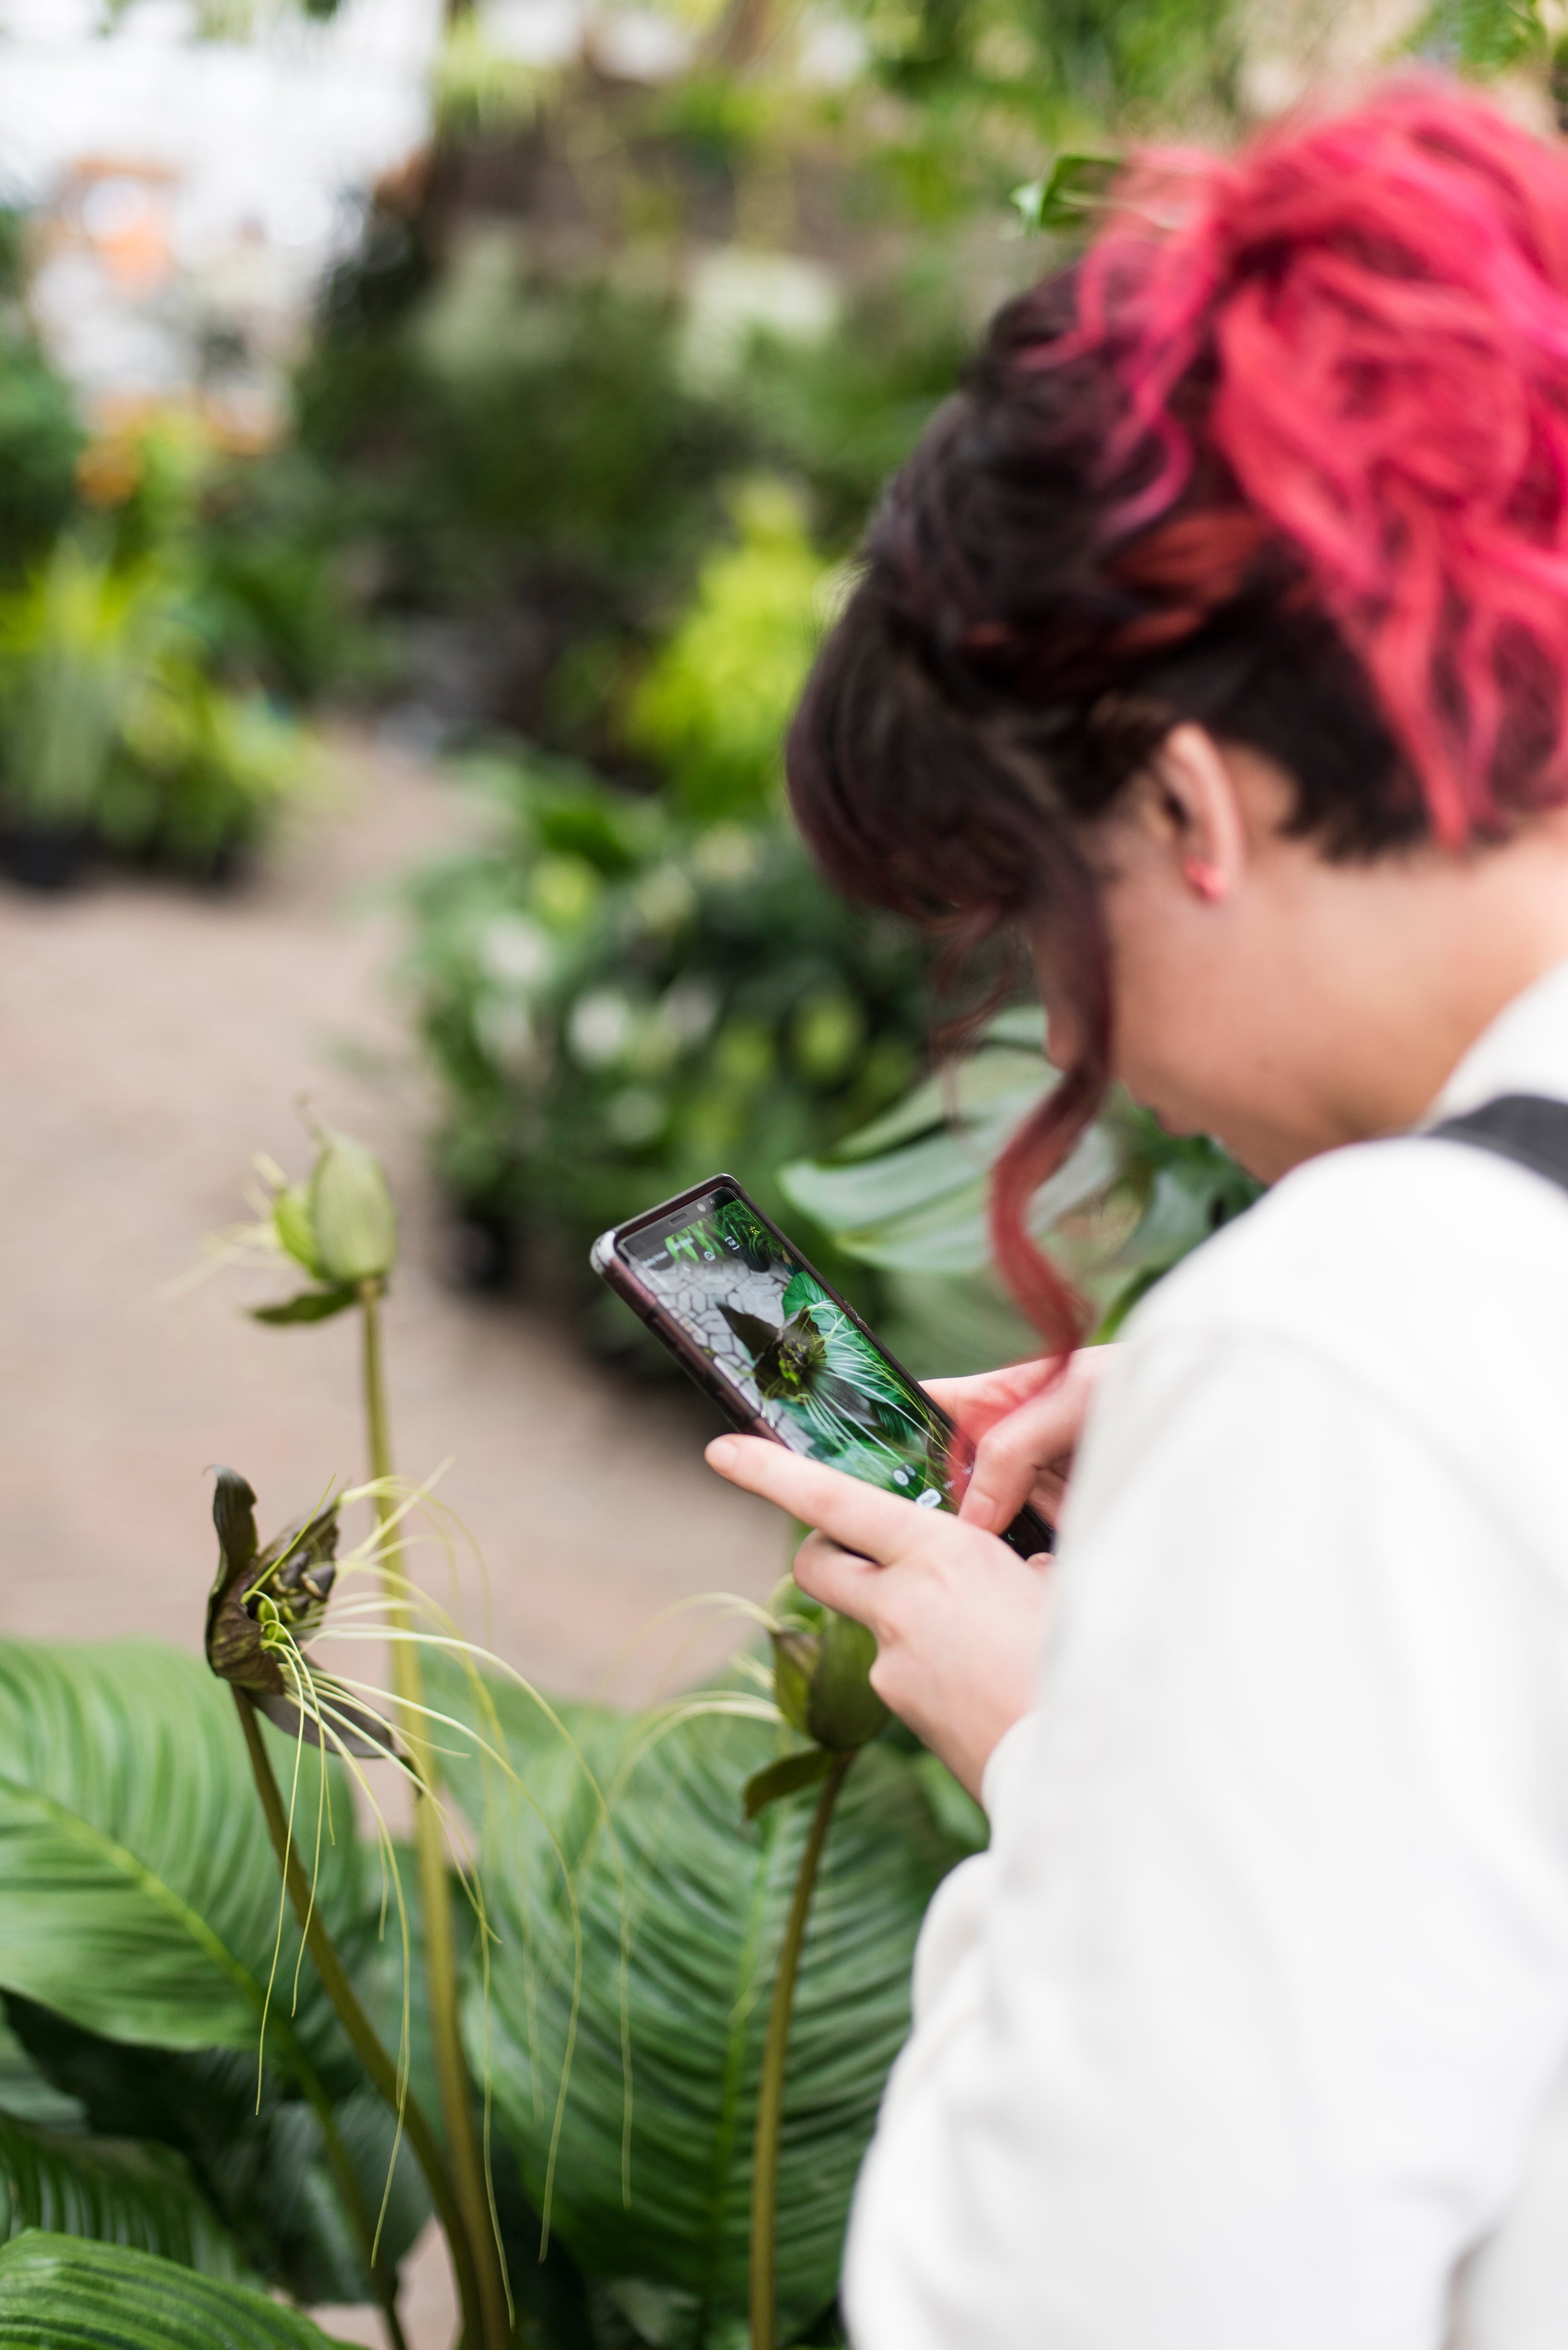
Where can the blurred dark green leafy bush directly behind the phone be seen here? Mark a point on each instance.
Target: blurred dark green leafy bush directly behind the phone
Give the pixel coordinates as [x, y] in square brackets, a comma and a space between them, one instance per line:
[624, 1002]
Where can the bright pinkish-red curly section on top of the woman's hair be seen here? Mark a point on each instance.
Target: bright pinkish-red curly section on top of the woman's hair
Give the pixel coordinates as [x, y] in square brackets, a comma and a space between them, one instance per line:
[1381, 307]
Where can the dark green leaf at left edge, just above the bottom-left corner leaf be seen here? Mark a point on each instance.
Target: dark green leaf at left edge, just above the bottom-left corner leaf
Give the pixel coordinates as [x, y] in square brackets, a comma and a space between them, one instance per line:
[114, 2191]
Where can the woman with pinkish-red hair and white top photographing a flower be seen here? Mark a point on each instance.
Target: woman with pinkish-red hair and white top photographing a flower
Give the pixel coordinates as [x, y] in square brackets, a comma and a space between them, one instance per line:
[1214, 643]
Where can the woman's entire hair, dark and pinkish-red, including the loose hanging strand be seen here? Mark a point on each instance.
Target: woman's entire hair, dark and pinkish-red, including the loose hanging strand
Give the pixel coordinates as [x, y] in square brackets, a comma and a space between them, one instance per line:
[1287, 455]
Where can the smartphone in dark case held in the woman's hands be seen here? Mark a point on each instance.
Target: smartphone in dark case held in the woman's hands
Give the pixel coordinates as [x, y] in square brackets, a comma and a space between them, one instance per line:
[782, 1352]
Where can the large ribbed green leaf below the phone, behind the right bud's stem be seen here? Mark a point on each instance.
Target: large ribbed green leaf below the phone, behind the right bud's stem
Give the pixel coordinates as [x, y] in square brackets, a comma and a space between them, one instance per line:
[702, 1898]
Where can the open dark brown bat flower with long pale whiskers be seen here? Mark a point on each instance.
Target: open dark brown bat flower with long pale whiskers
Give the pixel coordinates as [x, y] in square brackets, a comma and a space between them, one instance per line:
[264, 1606]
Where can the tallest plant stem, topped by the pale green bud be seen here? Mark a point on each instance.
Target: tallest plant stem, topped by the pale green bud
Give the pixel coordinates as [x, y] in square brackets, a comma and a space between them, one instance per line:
[471, 2189]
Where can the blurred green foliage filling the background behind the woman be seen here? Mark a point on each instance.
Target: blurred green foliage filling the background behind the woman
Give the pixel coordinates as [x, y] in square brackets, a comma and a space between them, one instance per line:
[572, 464]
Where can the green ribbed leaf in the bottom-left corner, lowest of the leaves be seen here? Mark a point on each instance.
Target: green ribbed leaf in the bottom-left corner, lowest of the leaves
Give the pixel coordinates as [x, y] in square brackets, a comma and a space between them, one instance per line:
[60, 2292]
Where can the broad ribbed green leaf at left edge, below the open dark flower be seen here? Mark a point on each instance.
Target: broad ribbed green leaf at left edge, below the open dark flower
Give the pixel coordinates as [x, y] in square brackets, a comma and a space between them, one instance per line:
[138, 1884]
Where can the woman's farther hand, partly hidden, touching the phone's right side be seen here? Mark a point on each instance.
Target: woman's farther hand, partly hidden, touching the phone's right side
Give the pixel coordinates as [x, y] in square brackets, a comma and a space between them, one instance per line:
[1024, 1425]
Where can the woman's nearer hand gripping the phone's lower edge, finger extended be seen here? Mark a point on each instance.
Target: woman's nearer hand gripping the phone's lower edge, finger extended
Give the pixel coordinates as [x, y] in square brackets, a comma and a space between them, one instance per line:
[958, 1616]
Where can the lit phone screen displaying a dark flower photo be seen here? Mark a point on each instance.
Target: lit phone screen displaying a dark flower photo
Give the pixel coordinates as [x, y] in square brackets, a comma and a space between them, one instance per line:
[775, 1334]
